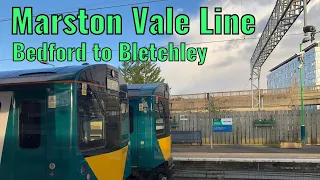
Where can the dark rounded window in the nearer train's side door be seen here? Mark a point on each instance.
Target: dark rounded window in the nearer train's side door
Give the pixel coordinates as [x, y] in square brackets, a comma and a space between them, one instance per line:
[30, 125]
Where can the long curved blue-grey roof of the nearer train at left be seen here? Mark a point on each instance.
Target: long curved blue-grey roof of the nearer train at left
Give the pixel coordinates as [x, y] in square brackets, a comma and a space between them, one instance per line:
[45, 74]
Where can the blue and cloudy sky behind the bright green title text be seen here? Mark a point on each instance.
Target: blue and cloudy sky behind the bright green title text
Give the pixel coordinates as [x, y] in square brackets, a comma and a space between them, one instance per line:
[227, 63]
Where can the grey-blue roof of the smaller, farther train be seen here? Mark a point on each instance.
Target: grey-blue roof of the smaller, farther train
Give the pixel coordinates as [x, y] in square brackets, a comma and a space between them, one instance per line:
[147, 89]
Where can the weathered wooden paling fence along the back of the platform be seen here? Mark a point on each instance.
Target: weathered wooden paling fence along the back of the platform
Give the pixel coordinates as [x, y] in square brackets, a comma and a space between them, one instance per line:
[286, 128]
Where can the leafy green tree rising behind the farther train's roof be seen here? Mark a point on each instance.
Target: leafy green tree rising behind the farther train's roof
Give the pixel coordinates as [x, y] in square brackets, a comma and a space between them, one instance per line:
[141, 72]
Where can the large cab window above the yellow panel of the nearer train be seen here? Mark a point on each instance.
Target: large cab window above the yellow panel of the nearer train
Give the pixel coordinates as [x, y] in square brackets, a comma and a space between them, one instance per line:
[91, 120]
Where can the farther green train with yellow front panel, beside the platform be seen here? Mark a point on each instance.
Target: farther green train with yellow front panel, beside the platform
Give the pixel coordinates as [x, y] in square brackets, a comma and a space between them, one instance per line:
[151, 139]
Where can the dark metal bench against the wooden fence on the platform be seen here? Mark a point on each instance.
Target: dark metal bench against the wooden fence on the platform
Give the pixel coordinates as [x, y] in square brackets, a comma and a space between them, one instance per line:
[181, 137]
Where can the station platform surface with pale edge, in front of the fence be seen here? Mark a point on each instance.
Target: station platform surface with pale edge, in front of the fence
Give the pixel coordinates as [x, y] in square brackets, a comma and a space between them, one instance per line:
[245, 153]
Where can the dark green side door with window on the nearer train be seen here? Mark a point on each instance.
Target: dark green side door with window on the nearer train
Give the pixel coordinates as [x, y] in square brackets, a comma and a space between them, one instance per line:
[30, 160]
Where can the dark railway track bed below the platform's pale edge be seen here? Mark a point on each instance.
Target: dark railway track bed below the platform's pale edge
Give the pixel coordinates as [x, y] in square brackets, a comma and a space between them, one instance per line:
[246, 171]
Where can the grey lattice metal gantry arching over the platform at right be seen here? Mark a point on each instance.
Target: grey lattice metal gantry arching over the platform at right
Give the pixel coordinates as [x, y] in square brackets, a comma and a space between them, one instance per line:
[284, 14]
